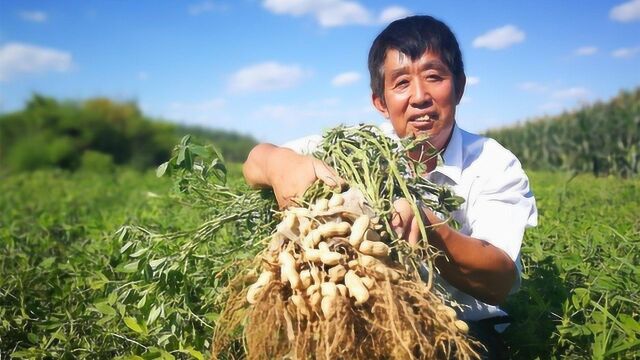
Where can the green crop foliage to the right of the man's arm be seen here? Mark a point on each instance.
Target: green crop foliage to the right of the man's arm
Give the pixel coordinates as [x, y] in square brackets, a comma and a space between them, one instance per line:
[580, 295]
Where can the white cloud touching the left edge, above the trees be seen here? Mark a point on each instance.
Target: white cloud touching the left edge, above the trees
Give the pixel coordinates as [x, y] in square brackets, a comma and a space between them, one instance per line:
[19, 58]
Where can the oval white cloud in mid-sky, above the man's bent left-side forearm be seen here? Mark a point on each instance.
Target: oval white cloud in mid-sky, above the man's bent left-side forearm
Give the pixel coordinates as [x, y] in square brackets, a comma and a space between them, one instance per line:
[266, 76]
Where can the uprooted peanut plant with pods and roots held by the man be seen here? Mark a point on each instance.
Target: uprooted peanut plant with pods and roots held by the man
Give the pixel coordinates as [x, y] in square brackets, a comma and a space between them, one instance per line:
[334, 281]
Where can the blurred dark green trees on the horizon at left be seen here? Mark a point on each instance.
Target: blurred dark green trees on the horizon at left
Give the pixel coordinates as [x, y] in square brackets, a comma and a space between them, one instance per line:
[96, 134]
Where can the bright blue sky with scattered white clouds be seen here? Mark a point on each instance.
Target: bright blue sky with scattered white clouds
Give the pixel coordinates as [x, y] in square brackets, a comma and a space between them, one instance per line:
[282, 69]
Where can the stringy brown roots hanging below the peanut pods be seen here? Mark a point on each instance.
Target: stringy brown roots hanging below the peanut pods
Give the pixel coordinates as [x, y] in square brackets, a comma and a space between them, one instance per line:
[400, 321]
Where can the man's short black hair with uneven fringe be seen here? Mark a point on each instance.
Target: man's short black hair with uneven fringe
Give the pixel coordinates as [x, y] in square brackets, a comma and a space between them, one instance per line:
[412, 36]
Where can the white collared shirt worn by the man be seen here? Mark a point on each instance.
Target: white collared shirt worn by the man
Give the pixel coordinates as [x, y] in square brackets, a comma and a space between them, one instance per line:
[498, 203]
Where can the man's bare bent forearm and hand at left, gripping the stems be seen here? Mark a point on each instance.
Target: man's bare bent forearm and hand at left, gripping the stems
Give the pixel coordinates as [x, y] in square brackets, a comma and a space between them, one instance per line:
[289, 174]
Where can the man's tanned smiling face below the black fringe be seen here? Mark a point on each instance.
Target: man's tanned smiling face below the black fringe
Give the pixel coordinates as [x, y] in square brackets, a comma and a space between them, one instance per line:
[420, 96]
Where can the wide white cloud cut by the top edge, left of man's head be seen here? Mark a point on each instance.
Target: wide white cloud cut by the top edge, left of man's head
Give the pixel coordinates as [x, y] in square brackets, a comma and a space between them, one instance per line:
[328, 13]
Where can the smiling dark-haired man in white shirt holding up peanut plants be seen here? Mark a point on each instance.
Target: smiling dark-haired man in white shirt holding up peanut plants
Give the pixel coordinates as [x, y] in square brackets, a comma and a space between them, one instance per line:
[417, 80]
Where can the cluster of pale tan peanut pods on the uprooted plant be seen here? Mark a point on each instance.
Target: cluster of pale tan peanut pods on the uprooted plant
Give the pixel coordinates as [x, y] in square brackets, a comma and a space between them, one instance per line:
[334, 248]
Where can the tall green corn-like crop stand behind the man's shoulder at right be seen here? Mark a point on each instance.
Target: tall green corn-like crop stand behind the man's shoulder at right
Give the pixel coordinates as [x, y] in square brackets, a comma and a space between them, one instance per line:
[603, 138]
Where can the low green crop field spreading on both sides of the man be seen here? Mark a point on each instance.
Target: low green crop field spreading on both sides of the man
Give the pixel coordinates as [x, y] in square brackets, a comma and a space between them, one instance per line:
[70, 287]
